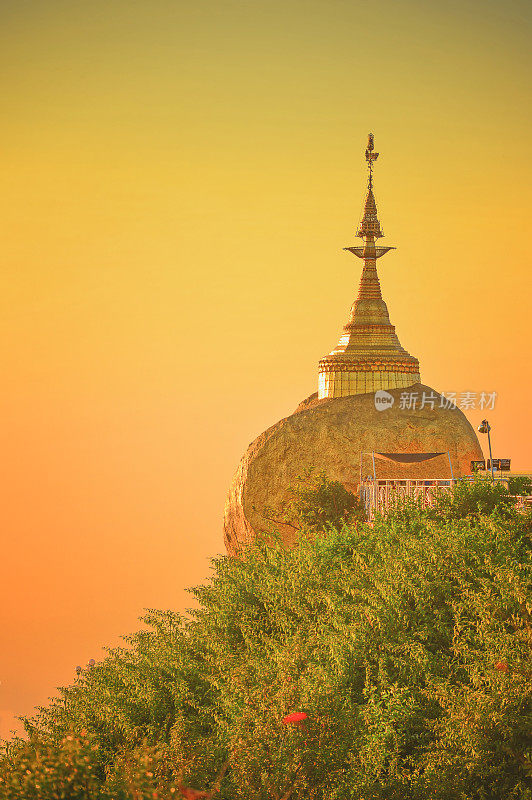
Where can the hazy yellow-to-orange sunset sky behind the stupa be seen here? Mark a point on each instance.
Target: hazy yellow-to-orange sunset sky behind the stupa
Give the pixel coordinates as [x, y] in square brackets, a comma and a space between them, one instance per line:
[179, 180]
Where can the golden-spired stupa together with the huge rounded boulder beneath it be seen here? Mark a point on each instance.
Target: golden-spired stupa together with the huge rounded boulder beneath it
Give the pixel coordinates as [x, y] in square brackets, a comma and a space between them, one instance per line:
[331, 429]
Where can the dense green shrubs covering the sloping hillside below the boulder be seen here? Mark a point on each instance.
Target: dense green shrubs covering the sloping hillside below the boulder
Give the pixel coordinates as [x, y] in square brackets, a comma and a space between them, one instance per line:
[407, 643]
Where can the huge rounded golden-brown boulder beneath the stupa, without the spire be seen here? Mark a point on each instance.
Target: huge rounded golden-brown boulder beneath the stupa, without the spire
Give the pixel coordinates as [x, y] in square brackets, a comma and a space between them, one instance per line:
[330, 435]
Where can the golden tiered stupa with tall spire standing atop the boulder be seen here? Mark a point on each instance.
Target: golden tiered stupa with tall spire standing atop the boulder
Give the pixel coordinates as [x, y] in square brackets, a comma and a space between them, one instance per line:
[369, 355]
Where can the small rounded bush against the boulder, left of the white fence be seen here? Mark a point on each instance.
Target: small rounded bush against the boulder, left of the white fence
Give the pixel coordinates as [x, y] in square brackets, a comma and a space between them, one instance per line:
[317, 504]
